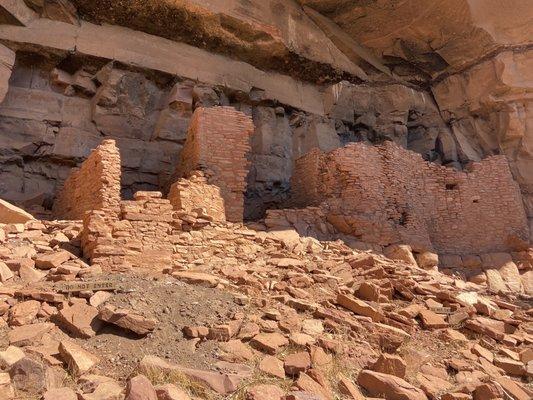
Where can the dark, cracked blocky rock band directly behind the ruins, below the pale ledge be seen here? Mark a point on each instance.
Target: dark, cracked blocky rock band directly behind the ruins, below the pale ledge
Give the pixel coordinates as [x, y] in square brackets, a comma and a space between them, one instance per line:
[52, 119]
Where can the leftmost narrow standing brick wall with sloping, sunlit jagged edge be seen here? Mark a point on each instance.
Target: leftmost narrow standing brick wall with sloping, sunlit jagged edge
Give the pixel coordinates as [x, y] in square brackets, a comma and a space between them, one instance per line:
[95, 185]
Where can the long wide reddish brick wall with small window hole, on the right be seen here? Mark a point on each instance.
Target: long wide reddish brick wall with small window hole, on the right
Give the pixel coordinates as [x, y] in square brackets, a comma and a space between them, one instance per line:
[386, 194]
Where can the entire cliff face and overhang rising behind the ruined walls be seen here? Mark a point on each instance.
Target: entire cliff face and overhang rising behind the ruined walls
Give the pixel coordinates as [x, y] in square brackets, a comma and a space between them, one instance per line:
[448, 79]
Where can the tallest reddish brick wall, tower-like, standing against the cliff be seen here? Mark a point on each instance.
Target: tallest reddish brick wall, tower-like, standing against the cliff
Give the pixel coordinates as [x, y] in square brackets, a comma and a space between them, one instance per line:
[218, 142]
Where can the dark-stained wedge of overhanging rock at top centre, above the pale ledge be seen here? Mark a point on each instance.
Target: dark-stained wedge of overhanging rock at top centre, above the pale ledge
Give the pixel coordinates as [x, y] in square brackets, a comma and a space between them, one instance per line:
[270, 34]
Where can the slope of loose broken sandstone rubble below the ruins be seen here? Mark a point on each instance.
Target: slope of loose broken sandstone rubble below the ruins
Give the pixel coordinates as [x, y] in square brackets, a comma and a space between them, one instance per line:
[307, 320]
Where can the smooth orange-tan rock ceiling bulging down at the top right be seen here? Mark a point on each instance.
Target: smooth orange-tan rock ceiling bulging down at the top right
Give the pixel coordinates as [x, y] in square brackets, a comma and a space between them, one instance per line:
[430, 38]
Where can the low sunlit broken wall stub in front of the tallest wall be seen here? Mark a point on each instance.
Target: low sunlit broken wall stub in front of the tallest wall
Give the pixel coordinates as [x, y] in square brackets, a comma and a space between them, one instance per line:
[196, 193]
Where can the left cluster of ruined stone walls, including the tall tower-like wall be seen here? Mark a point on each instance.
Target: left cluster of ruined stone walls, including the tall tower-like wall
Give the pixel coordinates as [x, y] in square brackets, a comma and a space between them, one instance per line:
[140, 232]
